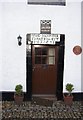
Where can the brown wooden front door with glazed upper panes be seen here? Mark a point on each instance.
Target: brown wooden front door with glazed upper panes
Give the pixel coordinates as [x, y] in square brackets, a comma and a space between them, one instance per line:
[44, 69]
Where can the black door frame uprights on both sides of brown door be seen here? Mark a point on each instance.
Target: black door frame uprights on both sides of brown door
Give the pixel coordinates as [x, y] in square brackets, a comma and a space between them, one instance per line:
[60, 66]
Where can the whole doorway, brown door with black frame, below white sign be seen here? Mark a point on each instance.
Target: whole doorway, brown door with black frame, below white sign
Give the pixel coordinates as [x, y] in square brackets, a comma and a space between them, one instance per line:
[44, 68]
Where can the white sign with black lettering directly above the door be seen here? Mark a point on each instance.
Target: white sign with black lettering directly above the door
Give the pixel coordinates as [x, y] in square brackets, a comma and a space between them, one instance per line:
[45, 38]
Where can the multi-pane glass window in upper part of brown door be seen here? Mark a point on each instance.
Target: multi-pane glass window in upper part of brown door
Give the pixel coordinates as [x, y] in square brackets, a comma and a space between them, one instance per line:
[45, 55]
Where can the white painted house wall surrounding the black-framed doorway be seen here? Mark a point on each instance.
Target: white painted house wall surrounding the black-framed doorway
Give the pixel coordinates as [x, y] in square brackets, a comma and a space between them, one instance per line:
[20, 18]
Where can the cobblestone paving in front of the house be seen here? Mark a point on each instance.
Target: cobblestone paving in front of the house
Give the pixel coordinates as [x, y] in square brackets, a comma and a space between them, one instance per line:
[30, 111]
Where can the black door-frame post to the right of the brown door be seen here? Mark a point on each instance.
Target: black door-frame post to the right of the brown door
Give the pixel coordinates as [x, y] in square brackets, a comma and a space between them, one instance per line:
[60, 67]
